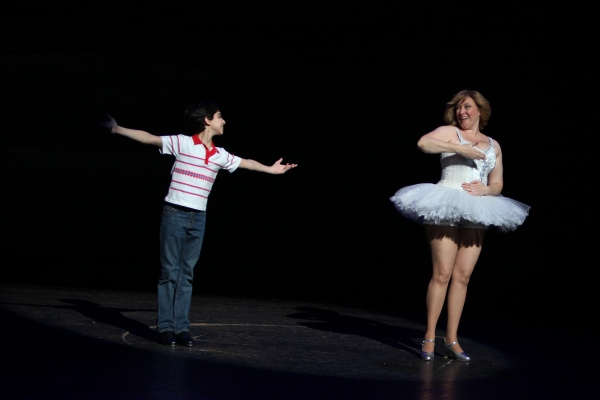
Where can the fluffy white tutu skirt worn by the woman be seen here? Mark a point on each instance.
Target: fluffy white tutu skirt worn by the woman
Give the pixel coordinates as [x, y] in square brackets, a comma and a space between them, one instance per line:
[440, 205]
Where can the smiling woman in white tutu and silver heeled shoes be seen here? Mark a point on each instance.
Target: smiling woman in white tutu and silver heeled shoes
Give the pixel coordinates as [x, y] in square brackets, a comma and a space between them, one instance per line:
[458, 209]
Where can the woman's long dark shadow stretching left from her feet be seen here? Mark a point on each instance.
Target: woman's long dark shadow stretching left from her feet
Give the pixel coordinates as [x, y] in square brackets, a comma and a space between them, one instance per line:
[332, 321]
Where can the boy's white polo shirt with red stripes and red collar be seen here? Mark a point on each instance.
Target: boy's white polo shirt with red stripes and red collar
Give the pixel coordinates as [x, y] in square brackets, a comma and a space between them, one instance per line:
[195, 169]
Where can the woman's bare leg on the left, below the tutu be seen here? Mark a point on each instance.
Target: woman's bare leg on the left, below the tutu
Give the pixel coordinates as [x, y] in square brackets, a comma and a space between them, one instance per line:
[444, 247]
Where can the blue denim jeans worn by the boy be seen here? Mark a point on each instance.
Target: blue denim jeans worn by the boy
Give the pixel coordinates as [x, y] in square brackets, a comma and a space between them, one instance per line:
[181, 235]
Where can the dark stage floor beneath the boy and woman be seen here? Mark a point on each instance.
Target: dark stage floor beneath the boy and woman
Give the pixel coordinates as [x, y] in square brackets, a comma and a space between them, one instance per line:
[63, 343]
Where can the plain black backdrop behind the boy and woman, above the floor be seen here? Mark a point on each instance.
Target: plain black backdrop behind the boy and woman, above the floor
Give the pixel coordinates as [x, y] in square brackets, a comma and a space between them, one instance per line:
[345, 92]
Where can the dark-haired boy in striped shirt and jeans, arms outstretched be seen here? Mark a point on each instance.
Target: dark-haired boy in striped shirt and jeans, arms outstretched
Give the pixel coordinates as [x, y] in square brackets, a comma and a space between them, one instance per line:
[197, 162]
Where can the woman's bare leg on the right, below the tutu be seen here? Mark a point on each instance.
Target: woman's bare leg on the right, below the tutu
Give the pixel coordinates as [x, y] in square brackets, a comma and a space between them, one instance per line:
[466, 258]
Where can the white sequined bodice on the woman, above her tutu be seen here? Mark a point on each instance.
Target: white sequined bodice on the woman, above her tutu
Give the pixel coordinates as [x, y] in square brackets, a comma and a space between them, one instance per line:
[457, 169]
